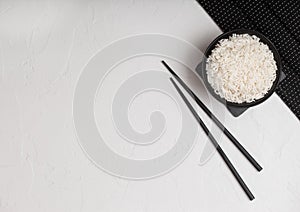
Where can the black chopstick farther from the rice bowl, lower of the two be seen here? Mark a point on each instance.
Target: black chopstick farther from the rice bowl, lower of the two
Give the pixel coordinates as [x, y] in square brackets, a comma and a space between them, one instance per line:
[215, 143]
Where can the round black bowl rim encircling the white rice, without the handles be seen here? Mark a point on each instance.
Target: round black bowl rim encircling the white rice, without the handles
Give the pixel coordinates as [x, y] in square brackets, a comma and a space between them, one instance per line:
[264, 40]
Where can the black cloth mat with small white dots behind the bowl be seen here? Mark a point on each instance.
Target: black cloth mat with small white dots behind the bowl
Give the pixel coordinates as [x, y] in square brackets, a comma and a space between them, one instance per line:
[279, 20]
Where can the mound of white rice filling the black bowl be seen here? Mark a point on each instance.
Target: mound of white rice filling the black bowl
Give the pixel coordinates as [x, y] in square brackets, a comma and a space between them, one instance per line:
[241, 68]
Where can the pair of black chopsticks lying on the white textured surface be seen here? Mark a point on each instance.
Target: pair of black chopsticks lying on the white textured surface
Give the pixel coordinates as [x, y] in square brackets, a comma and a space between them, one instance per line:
[220, 125]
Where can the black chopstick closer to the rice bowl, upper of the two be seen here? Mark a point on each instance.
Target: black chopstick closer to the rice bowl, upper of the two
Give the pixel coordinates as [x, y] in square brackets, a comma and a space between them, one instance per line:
[215, 119]
